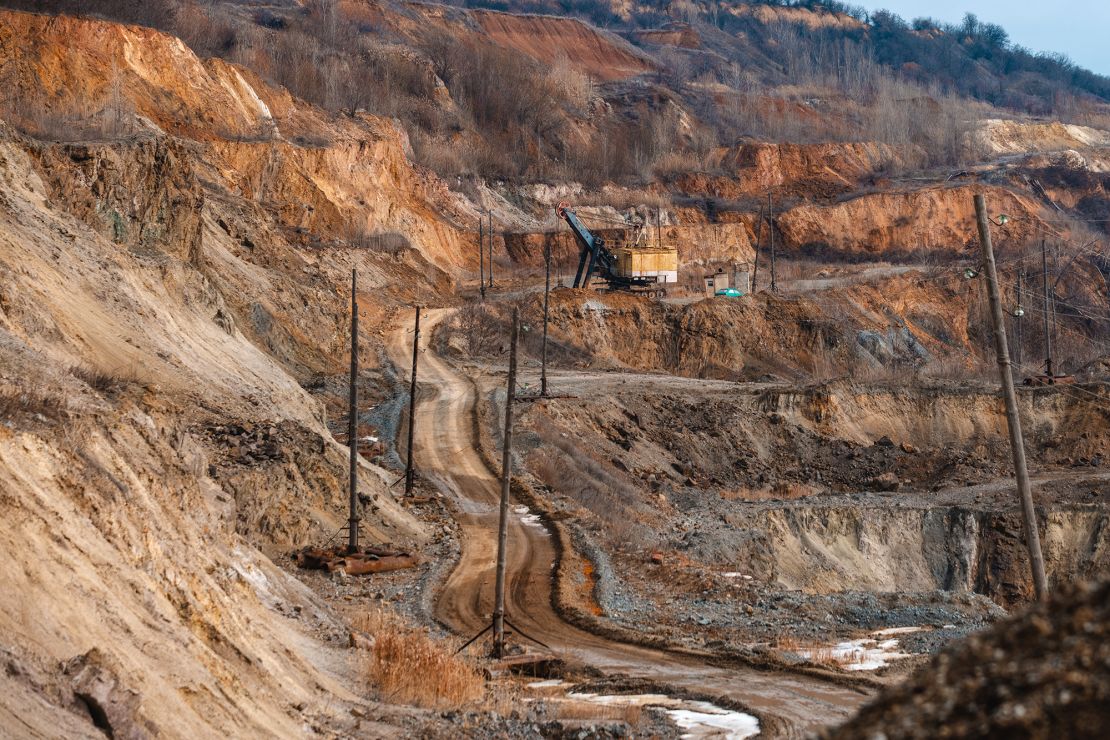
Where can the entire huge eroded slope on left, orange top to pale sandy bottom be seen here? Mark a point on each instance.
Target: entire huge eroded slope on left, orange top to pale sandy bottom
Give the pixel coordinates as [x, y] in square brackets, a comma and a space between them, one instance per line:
[166, 290]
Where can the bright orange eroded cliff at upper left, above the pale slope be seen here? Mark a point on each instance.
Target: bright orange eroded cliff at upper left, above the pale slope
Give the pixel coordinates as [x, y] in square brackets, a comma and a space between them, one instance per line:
[345, 179]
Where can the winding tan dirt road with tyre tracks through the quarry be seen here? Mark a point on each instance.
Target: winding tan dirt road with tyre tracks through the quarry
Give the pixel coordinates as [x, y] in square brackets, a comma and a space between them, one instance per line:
[447, 454]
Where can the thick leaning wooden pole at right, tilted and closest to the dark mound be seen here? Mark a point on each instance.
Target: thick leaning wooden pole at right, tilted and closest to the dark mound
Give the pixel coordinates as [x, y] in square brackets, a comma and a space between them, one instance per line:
[1017, 444]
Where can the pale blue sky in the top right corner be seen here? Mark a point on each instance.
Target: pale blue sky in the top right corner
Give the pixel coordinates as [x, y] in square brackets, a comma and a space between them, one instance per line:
[1077, 28]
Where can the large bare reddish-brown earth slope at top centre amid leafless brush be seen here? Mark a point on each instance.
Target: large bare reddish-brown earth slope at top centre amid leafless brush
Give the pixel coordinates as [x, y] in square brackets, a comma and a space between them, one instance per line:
[551, 39]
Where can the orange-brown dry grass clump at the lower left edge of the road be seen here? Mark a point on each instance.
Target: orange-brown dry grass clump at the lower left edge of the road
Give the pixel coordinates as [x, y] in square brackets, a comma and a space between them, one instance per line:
[409, 666]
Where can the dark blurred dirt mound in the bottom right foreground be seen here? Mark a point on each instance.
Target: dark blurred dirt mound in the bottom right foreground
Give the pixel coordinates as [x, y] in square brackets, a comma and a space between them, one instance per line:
[1045, 674]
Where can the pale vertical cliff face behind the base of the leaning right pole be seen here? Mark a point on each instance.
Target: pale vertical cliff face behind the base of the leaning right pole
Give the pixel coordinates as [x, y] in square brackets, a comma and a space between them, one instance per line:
[825, 550]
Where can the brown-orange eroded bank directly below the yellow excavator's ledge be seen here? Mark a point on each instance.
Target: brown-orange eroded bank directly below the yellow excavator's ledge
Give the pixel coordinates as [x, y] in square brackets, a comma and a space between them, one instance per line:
[914, 322]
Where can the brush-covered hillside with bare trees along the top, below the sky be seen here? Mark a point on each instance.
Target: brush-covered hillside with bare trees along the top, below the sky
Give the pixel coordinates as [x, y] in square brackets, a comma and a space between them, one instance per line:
[538, 97]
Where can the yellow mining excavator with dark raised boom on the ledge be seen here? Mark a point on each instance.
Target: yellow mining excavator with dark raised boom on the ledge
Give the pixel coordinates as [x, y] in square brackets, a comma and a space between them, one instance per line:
[641, 270]
